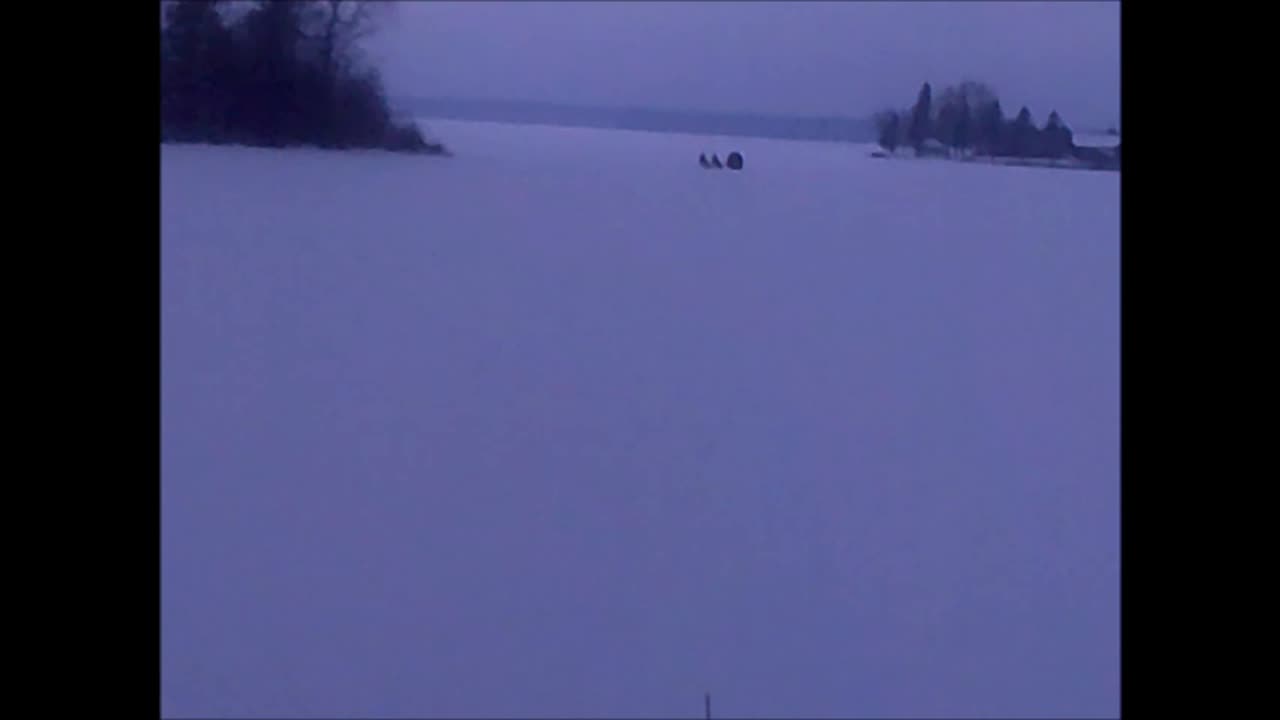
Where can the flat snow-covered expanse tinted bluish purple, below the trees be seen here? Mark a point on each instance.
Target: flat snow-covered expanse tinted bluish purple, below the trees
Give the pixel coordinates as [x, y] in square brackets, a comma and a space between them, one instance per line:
[566, 426]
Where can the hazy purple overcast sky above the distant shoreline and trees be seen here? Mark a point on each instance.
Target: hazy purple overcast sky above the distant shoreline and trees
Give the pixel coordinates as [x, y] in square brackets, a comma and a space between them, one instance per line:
[788, 58]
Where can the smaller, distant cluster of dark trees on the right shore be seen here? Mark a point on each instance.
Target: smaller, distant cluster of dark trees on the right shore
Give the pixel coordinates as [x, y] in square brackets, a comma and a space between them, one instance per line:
[970, 120]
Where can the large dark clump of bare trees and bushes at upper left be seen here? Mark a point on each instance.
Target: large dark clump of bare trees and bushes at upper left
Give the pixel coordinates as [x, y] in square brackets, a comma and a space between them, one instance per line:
[276, 74]
